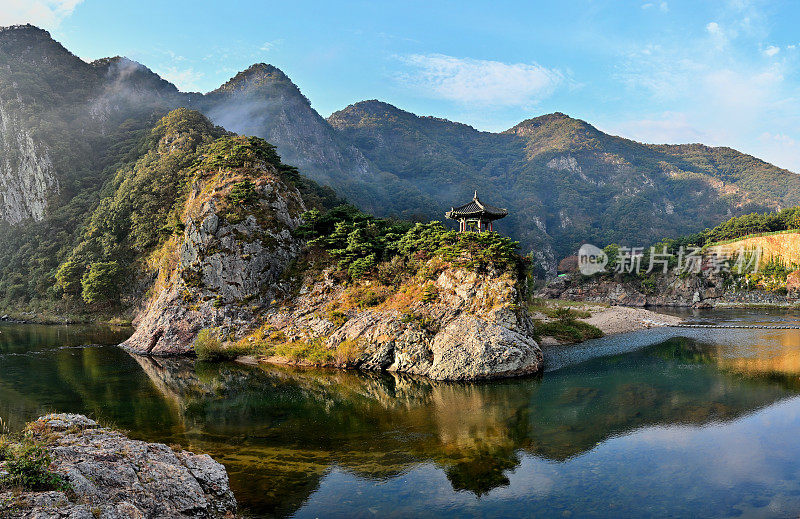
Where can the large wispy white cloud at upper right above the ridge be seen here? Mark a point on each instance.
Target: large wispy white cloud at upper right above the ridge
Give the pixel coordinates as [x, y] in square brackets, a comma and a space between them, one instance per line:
[715, 88]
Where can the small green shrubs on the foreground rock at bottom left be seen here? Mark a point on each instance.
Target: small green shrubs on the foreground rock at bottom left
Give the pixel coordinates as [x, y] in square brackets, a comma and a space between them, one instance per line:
[28, 467]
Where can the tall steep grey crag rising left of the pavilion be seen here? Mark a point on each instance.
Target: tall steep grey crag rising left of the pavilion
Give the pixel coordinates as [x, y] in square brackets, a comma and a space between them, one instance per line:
[226, 269]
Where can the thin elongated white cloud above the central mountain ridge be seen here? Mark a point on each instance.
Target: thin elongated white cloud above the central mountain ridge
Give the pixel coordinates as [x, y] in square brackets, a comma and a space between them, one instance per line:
[473, 81]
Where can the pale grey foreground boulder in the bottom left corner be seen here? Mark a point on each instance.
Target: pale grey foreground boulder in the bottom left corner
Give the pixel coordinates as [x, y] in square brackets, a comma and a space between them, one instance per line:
[112, 476]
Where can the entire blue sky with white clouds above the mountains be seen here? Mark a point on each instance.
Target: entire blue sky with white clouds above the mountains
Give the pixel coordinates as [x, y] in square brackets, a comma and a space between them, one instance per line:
[722, 72]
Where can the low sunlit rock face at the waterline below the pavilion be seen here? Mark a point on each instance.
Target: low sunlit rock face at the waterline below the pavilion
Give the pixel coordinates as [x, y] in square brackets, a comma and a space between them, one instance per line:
[470, 326]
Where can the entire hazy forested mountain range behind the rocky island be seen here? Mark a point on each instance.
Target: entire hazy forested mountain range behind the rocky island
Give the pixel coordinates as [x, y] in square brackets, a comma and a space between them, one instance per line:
[67, 128]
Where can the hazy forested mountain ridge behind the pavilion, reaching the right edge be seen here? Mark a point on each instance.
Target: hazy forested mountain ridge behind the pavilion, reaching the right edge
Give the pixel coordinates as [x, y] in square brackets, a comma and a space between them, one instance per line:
[564, 181]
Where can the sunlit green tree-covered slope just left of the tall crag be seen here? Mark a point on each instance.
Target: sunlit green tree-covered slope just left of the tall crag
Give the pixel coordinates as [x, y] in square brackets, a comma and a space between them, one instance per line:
[143, 201]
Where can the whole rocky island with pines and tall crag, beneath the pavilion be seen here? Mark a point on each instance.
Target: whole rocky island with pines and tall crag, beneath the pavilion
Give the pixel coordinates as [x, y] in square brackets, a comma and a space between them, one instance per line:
[330, 286]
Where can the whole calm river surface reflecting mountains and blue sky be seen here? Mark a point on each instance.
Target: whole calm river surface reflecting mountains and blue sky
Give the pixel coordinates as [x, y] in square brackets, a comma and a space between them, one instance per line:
[607, 436]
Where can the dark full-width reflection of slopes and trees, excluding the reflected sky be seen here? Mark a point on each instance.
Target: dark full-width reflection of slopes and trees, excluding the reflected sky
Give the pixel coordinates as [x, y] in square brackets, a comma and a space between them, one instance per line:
[281, 430]
